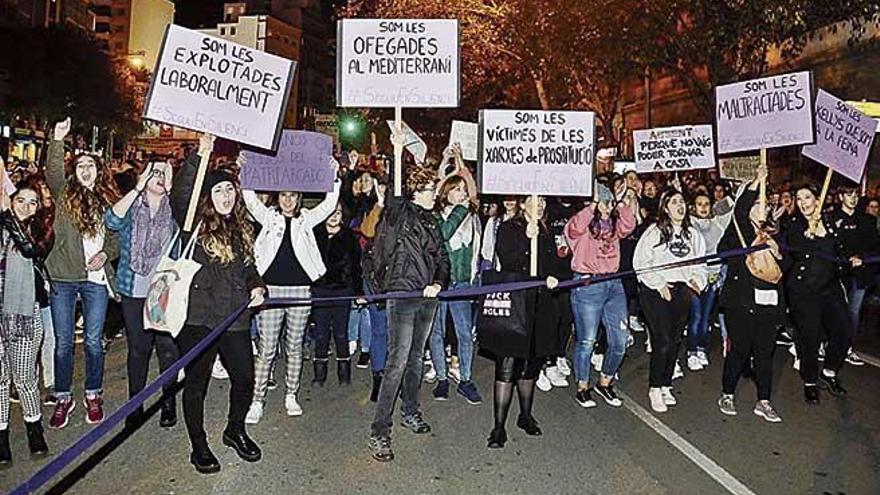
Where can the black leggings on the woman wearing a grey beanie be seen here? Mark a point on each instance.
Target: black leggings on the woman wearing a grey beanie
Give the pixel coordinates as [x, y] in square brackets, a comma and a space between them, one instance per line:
[238, 359]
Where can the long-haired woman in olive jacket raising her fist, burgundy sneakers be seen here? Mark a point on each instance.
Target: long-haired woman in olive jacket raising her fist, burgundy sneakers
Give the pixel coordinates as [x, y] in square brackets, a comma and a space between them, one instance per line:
[79, 266]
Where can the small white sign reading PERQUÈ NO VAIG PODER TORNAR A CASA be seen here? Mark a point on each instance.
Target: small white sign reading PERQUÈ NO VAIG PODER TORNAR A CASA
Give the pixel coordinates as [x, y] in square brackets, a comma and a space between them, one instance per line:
[674, 149]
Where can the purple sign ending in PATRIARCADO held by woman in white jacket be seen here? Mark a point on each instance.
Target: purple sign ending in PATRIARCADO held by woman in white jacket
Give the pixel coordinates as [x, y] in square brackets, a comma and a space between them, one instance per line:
[302, 163]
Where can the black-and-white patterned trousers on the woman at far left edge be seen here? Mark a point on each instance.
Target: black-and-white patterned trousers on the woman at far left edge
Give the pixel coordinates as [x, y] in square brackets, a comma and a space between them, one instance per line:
[18, 366]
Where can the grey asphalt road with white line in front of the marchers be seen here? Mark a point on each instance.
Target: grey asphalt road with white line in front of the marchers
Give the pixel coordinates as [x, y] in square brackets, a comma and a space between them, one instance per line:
[833, 448]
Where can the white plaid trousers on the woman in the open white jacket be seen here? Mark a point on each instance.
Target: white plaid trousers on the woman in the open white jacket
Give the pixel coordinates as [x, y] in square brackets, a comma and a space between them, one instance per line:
[273, 323]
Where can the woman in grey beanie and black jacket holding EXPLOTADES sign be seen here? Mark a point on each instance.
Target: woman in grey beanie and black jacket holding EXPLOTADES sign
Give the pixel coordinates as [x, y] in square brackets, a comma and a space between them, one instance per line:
[228, 277]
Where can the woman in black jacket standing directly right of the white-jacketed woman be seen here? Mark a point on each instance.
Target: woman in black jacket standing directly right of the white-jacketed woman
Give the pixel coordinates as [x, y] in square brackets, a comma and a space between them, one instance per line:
[342, 257]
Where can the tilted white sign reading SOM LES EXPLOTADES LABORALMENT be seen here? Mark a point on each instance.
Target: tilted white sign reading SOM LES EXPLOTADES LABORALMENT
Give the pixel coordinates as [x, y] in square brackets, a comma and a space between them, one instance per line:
[212, 85]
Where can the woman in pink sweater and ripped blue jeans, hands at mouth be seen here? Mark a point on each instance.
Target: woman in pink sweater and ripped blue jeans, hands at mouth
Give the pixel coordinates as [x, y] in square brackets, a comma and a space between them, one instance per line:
[594, 236]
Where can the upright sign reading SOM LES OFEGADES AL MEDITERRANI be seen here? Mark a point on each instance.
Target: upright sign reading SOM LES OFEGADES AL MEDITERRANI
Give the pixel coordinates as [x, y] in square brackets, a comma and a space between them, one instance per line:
[409, 63]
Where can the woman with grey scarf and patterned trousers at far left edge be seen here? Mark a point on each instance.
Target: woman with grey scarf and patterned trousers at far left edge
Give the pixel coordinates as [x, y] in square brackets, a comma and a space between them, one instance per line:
[24, 244]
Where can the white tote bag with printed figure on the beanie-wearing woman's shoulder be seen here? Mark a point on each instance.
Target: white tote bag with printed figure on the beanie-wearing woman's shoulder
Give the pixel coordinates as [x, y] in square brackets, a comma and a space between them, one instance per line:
[168, 295]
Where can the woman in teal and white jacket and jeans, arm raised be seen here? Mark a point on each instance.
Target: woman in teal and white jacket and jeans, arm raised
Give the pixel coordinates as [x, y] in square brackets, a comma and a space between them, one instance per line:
[461, 230]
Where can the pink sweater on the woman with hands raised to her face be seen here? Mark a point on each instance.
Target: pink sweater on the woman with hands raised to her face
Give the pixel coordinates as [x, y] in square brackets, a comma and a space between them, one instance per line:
[597, 256]
